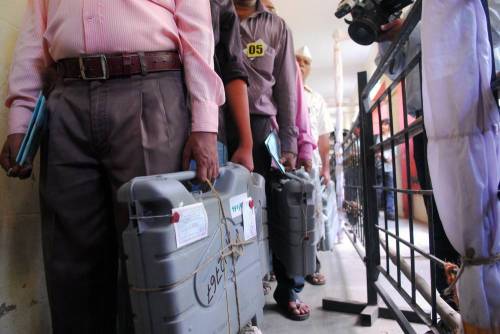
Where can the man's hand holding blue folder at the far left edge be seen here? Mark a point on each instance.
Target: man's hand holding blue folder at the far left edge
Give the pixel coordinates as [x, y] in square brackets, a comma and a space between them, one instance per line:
[8, 157]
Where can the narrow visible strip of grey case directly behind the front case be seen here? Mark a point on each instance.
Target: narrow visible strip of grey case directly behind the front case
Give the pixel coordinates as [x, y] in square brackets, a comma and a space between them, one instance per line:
[257, 191]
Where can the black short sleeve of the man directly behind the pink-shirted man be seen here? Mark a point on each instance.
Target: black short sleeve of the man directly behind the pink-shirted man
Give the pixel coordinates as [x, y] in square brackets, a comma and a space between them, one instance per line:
[229, 51]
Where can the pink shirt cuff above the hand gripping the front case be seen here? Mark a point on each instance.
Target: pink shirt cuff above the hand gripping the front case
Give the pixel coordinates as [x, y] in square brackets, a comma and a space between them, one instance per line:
[204, 116]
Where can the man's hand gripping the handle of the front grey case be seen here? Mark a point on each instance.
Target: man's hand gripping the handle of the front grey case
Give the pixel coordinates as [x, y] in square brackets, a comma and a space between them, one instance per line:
[202, 148]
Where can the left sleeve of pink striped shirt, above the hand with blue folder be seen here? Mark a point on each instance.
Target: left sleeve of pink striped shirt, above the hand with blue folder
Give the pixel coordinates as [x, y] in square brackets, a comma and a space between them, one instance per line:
[31, 57]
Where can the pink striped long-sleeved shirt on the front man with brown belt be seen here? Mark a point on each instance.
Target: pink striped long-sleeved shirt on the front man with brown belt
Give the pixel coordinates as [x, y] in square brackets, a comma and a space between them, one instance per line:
[56, 29]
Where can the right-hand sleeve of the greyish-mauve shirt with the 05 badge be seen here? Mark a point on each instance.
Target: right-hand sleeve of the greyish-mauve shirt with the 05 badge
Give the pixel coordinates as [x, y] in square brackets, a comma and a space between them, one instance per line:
[284, 92]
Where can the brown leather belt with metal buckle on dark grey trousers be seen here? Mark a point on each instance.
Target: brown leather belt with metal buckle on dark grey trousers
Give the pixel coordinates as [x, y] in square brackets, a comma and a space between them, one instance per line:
[103, 67]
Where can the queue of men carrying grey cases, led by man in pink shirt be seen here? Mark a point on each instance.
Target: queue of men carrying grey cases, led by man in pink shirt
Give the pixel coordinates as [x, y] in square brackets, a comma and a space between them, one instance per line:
[143, 88]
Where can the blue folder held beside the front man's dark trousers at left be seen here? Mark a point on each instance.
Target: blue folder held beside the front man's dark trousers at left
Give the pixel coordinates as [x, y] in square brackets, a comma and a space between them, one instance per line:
[32, 139]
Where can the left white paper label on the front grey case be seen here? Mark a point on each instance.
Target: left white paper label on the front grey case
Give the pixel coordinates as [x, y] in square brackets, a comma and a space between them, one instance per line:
[192, 225]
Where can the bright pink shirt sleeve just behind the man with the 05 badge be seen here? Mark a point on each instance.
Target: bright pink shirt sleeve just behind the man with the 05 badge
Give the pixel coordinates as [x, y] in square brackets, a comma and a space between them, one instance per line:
[305, 142]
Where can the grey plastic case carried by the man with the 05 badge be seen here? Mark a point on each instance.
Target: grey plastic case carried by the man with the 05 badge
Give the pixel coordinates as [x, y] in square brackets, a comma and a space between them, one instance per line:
[293, 232]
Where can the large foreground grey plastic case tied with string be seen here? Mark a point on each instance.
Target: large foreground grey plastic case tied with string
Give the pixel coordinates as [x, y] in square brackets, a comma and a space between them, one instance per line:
[190, 289]
